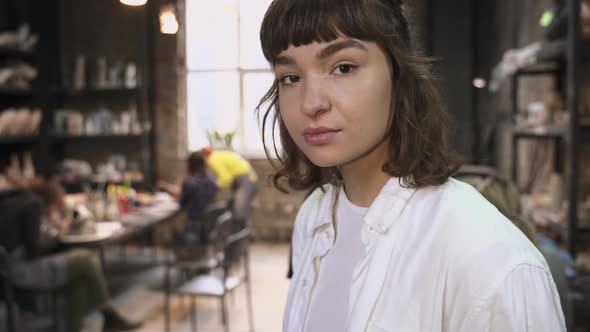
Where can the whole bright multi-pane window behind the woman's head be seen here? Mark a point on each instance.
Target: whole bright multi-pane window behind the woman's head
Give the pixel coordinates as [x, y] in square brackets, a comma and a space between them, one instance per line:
[227, 74]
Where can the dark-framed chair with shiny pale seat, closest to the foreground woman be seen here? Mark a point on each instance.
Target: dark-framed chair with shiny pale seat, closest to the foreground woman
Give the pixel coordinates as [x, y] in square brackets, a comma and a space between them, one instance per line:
[214, 285]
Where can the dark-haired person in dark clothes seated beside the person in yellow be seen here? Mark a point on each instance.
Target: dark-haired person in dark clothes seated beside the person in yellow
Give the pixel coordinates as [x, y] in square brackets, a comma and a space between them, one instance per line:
[197, 192]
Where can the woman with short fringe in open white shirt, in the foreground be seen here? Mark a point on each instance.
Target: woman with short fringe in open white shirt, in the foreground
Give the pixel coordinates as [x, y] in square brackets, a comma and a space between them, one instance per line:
[388, 241]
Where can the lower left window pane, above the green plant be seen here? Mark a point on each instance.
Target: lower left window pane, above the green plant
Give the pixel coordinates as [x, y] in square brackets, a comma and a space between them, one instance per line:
[213, 104]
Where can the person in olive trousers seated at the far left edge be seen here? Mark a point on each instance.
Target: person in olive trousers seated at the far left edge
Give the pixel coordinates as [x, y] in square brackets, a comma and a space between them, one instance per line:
[23, 218]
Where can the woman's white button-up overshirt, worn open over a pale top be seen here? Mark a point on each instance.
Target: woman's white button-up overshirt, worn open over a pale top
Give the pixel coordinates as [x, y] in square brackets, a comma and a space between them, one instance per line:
[438, 259]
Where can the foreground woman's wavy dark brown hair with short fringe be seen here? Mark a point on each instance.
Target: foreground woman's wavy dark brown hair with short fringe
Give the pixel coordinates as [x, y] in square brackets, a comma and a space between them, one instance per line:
[419, 156]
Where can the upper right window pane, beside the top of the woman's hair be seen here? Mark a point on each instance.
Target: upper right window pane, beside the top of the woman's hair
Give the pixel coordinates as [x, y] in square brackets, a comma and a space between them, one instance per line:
[251, 14]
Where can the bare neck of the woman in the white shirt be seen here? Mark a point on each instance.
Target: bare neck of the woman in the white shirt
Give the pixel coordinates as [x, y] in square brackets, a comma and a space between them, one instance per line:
[363, 177]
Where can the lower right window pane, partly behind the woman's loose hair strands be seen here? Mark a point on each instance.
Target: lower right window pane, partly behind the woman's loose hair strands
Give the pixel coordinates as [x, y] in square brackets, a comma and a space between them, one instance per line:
[255, 86]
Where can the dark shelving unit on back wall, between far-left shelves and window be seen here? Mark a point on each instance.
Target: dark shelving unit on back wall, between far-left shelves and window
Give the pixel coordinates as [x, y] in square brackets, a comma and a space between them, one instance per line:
[84, 100]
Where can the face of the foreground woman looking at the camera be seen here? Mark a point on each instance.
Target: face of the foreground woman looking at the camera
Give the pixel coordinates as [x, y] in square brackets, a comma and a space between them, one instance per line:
[335, 99]
